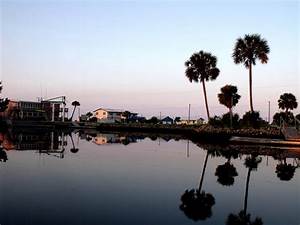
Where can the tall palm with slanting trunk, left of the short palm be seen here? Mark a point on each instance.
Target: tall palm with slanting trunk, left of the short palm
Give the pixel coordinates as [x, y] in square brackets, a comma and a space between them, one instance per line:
[201, 67]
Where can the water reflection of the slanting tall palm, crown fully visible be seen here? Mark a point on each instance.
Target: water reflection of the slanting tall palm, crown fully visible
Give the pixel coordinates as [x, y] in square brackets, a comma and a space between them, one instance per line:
[197, 204]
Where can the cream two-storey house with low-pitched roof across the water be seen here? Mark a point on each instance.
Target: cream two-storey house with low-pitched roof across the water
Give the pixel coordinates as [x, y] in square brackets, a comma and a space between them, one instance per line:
[108, 115]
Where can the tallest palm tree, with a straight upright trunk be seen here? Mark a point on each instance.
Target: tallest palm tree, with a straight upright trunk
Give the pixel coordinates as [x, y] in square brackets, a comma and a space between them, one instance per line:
[247, 50]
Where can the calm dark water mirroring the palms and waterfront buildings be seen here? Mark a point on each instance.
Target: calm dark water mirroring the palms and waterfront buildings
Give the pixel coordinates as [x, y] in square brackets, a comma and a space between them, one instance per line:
[51, 178]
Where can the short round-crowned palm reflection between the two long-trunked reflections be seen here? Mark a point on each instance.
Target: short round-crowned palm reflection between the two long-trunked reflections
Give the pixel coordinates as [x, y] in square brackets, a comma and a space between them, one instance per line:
[227, 171]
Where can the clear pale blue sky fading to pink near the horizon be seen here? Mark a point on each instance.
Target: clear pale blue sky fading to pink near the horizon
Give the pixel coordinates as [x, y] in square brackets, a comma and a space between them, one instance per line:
[130, 54]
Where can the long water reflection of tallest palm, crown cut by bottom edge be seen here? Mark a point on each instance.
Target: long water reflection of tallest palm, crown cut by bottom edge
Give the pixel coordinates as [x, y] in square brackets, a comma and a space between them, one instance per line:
[243, 218]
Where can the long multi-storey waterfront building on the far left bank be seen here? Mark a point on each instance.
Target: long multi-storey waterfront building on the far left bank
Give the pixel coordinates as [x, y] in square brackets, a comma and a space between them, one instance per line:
[35, 111]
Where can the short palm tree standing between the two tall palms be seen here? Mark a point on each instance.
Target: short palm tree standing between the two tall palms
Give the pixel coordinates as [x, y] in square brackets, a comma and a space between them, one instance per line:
[229, 97]
